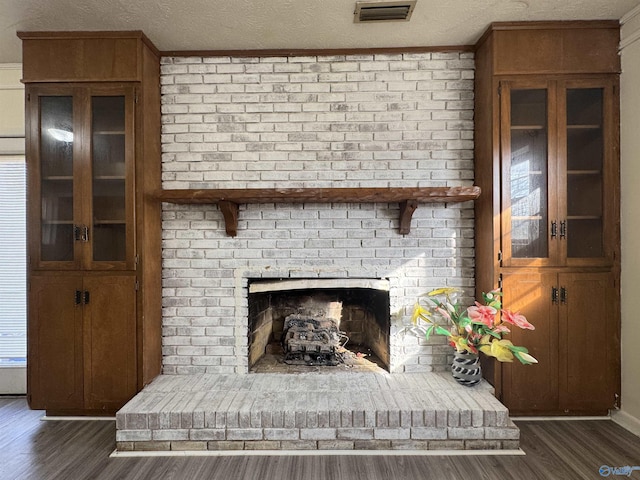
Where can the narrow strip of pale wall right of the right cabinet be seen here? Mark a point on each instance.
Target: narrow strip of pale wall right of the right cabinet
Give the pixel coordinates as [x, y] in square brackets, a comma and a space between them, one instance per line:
[630, 226]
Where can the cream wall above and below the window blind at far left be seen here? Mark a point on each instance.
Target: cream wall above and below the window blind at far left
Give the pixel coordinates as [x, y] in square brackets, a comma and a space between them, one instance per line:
[12, 379]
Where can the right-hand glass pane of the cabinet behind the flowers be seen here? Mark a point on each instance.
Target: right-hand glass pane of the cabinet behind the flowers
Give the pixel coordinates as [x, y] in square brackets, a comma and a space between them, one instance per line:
[585, 157]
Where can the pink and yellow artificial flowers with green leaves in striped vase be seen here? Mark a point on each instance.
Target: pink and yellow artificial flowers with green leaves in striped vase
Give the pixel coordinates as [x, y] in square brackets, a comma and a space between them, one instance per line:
[475, 328]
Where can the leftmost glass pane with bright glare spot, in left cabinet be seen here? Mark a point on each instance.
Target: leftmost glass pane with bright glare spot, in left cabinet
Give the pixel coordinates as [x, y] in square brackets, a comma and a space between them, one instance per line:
[56, 167]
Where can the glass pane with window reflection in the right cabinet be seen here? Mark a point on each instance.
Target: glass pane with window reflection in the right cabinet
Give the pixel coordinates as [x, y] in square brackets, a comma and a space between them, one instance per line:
[529, 209]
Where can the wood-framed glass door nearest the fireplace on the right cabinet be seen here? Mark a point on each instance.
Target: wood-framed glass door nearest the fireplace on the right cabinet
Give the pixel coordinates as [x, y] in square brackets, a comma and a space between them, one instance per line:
[526, 223]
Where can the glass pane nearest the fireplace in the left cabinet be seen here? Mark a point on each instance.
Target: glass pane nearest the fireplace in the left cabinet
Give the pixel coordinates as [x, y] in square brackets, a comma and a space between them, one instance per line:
[108, 164]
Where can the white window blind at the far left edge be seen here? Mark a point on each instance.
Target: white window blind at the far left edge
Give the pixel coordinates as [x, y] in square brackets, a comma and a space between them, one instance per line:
[13, 254]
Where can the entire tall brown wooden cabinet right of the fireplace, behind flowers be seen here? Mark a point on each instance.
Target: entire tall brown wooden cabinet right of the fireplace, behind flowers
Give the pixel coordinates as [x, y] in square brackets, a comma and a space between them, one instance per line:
[547, 224]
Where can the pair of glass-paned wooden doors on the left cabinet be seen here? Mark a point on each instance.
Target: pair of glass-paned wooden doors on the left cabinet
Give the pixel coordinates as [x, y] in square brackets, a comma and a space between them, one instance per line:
[83, 171]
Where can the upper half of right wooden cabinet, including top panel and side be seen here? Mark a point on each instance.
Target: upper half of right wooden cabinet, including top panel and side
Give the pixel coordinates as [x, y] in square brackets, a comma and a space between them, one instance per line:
[546, 147]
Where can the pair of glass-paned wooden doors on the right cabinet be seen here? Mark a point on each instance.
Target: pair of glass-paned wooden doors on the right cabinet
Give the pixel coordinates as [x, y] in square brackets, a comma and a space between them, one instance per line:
[558, 184]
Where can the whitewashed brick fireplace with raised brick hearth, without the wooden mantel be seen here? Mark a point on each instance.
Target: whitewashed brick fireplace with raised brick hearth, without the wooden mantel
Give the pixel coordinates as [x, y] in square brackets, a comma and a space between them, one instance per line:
[346, 121]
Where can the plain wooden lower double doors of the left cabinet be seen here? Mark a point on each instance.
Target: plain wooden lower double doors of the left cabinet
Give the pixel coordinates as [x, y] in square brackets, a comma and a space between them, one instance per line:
[82, 342]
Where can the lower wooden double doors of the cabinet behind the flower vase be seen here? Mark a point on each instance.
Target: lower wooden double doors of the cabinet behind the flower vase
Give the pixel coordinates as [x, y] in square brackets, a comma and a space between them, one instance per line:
[574, 341]
